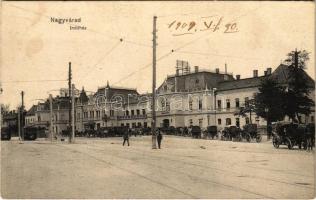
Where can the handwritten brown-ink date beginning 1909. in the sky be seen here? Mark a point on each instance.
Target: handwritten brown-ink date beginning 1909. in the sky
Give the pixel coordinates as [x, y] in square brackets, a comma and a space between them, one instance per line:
[181, 28]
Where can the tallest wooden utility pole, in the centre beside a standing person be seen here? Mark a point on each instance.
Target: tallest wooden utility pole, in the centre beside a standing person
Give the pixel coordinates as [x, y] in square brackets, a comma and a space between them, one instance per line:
[153, 127]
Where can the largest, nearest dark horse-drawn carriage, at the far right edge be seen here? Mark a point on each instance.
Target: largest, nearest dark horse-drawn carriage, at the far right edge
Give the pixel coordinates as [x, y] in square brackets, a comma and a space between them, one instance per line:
[292, 134]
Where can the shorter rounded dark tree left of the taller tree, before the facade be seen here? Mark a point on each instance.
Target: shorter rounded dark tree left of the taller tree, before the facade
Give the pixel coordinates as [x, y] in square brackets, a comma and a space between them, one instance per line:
[269, 101]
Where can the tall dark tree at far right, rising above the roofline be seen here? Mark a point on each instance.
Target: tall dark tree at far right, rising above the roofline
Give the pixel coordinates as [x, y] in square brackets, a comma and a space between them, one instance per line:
[297, 99]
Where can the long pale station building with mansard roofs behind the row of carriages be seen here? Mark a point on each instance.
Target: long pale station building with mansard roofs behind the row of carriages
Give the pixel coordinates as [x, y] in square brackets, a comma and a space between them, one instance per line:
[201, 98]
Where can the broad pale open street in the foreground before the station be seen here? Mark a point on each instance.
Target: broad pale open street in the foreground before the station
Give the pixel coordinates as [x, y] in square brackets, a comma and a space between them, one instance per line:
[183, 168]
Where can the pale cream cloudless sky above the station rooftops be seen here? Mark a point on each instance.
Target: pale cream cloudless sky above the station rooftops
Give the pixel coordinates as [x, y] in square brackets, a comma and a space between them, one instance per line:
[116, 45]
